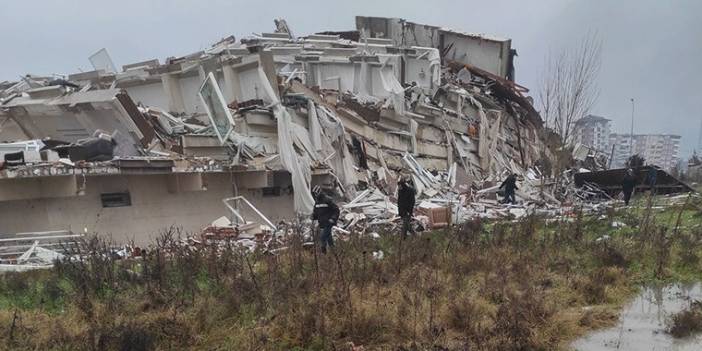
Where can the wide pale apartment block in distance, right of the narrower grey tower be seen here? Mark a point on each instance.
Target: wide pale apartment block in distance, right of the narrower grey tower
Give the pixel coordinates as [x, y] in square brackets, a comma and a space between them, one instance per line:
[661, 150]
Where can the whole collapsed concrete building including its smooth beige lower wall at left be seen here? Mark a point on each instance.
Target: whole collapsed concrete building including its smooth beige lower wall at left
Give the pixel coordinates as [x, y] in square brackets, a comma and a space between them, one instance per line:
[130, 152]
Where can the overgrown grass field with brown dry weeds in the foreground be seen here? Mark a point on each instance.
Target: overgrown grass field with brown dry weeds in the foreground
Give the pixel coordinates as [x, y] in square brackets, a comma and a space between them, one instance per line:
[532, 284]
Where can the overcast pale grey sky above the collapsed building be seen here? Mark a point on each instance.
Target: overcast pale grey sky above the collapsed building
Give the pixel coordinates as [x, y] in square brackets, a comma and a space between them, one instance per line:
[652, 49]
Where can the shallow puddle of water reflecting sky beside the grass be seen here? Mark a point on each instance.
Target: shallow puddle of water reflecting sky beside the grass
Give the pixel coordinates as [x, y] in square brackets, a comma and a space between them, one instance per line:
[642, 323]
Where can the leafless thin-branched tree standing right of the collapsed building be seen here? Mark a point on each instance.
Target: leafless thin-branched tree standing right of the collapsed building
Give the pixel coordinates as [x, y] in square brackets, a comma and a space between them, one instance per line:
[568, 88]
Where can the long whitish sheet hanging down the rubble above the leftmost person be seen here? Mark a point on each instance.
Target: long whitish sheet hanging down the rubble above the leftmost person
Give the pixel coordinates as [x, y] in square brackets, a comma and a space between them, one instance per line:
[299, 167]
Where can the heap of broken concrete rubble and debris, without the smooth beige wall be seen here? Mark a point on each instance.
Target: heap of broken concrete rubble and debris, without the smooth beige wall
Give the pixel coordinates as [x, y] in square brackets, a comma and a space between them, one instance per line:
[350, 112]
